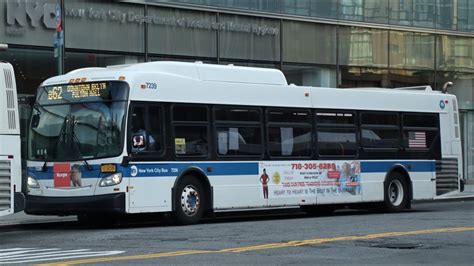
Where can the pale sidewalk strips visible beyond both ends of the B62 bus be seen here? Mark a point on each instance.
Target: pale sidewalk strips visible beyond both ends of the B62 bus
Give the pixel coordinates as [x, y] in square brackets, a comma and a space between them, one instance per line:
[22, 219]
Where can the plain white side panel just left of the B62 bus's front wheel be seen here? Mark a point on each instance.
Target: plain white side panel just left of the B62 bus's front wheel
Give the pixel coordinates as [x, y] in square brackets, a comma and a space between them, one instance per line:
[150, 194]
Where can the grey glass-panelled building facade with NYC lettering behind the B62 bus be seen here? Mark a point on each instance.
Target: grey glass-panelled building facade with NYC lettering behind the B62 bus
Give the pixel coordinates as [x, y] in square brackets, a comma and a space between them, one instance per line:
[329, 43]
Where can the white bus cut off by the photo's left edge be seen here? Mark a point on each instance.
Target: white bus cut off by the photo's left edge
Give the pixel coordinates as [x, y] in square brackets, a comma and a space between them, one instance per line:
[11, 199]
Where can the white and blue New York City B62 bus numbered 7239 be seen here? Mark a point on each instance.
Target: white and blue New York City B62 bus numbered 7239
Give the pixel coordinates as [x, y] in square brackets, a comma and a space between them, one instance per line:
[193, 138]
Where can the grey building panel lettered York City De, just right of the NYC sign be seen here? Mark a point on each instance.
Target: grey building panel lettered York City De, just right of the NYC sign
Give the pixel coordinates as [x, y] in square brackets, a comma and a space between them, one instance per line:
[100, 25]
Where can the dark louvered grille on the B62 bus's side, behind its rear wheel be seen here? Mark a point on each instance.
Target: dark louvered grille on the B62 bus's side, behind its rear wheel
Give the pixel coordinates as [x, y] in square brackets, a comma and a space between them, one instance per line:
[446, 176]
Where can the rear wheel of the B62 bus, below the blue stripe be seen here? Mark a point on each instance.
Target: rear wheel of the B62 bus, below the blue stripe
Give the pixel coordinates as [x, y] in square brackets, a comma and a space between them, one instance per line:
[396, 198]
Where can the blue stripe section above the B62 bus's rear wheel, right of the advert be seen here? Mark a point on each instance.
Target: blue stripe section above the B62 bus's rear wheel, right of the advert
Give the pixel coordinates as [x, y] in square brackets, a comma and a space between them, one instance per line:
[385, 166]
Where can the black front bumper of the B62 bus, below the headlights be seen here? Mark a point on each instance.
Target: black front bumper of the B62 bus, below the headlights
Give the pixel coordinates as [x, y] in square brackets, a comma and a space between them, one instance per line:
[110, 203]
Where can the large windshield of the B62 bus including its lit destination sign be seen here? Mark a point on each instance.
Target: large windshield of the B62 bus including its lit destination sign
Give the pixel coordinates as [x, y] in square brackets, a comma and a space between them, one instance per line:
[78, 121]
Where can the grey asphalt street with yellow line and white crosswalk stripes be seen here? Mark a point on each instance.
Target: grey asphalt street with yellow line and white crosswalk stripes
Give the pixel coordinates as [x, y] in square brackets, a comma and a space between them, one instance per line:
[434, 233]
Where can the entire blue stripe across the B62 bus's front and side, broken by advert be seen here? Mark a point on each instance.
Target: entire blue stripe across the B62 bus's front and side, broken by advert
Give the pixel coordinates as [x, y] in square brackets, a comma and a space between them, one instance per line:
[225, 168]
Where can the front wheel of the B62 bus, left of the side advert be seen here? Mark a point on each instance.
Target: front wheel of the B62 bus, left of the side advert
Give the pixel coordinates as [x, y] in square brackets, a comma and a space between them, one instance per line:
[190, 201]
